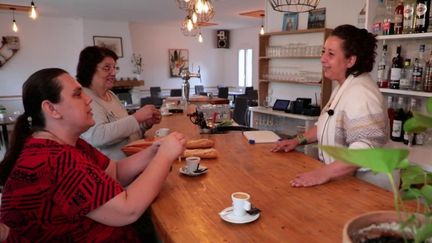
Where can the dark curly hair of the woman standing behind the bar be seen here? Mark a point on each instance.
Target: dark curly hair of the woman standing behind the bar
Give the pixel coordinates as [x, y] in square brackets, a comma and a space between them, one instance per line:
[360, 43]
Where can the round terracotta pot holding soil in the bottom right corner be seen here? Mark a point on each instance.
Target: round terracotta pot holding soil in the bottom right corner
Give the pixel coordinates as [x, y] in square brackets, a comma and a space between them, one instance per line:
[378, 223]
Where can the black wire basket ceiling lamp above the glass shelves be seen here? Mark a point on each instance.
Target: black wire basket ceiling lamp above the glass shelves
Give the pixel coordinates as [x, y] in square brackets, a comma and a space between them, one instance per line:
[297, 6]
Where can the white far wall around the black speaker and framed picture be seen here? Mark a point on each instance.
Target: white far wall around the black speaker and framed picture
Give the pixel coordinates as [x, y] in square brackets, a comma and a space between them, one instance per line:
[218, 66]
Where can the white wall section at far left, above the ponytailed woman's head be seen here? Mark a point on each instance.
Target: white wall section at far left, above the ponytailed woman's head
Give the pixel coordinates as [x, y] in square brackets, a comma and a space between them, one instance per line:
[47, 42]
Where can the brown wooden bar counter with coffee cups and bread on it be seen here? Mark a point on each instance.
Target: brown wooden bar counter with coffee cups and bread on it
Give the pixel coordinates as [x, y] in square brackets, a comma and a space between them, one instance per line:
[187, 208]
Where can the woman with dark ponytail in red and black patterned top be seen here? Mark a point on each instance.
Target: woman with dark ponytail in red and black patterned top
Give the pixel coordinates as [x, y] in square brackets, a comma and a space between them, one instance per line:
[57, 187]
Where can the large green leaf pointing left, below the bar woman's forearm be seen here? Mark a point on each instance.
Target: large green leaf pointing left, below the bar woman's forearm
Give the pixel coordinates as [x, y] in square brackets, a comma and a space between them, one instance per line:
[384, 160]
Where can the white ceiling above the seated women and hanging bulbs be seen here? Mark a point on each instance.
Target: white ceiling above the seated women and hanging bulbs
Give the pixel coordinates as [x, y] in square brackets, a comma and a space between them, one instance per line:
[164, 12]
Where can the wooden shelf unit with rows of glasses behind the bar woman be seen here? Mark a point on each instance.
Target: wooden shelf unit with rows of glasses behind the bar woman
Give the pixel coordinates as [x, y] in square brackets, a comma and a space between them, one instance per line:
[278, 55]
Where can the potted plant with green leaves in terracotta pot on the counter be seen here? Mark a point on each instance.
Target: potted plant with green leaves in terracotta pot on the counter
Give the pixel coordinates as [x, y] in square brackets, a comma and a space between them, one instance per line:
[407, 226]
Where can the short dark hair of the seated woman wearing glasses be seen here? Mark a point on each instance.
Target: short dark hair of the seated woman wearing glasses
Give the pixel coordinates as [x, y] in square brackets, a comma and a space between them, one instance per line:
[89, 58]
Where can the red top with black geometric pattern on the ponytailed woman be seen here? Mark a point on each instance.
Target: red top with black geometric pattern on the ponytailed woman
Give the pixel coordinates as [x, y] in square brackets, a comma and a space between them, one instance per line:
[51, 190]
